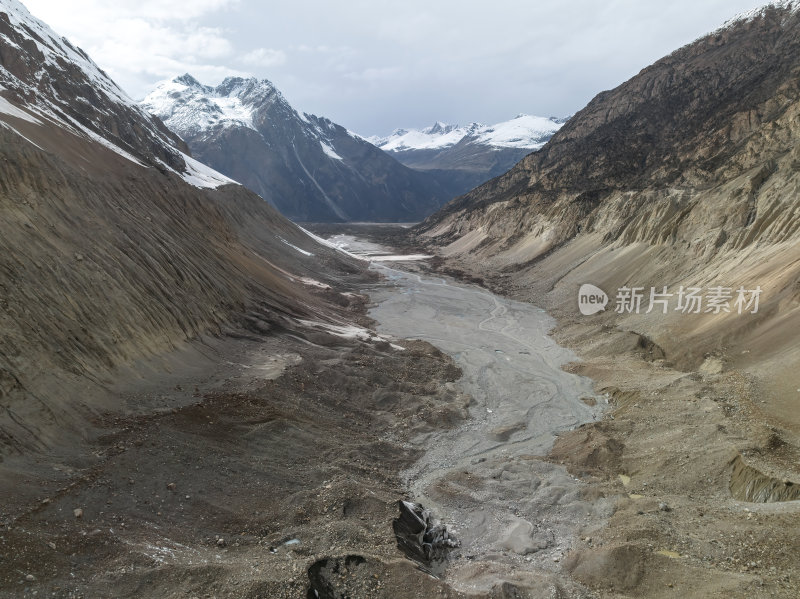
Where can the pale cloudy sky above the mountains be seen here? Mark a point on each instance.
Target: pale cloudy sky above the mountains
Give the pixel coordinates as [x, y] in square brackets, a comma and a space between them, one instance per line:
[374, 65]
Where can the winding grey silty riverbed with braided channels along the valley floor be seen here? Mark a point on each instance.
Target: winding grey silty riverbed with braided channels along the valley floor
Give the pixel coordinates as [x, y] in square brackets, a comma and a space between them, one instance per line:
[515, 513]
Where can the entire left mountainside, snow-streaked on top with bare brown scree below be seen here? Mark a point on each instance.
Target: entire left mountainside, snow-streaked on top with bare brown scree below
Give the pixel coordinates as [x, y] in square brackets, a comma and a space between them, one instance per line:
[114, 244]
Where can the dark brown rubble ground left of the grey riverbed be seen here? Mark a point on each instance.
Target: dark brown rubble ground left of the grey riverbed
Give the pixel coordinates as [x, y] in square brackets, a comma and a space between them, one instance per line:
[261, 462]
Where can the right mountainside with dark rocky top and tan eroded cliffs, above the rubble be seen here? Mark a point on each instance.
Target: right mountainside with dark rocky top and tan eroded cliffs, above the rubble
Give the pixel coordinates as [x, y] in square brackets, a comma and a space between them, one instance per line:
[686, 175]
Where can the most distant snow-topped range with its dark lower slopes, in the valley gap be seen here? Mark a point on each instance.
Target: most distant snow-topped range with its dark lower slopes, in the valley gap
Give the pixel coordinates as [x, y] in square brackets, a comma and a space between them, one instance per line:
[468, 156]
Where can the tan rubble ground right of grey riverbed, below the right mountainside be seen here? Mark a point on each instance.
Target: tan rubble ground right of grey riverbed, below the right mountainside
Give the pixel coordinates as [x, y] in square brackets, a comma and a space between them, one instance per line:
[681, 454]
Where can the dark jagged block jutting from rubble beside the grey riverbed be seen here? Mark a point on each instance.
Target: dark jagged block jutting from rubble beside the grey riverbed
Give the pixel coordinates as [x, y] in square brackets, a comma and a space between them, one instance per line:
[419, 535]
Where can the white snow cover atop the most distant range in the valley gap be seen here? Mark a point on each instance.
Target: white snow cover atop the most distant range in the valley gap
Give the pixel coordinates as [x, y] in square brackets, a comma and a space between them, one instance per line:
[523, 131]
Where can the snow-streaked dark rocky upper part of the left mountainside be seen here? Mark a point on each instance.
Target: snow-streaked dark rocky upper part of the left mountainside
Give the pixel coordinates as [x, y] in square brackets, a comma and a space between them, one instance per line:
[48, 81]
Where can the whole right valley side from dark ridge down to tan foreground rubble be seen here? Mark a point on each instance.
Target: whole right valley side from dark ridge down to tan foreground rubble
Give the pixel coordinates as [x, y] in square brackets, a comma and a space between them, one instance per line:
[683, 178]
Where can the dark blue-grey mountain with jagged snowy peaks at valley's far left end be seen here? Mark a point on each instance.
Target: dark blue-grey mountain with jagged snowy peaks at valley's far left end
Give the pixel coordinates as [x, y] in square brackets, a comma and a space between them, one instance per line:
[247, 130]
